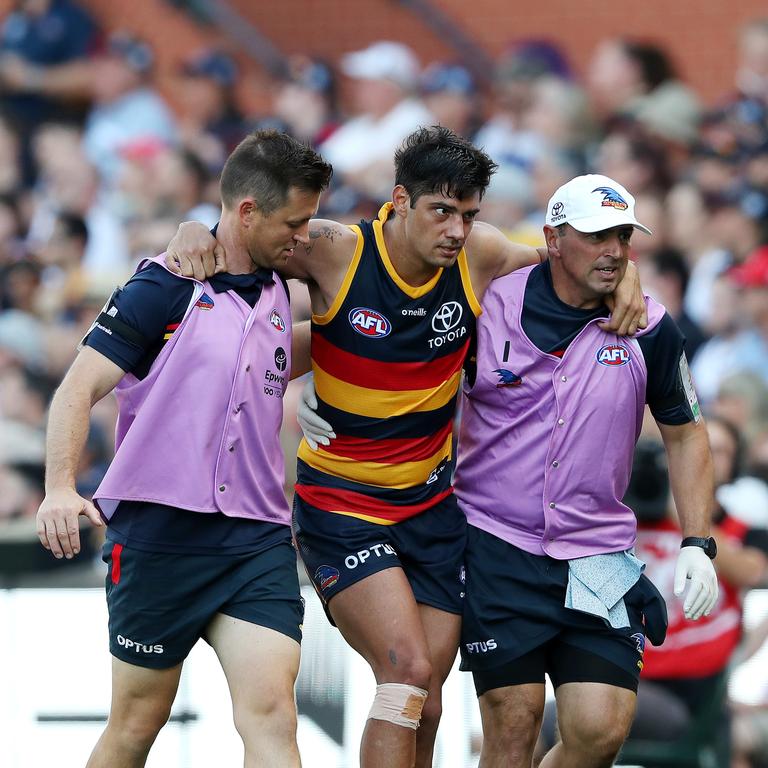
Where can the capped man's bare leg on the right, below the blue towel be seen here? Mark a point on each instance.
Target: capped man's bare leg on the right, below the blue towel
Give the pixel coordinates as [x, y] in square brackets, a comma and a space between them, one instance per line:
[593, 720]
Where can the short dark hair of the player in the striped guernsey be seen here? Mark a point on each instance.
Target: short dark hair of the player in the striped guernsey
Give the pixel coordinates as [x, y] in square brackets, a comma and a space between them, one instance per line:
[436, 159]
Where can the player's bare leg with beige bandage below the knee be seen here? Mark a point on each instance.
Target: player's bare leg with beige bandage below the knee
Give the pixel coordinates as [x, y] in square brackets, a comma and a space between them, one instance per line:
[380, 619]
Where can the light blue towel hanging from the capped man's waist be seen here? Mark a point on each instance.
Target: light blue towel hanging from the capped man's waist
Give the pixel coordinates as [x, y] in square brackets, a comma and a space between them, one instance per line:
[597, 585]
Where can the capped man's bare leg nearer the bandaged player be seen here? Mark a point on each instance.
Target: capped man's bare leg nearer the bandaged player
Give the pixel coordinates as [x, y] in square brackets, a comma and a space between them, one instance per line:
[511, 718]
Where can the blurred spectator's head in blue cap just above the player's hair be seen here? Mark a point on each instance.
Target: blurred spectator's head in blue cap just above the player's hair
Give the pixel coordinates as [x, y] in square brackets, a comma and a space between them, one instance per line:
[450, 94]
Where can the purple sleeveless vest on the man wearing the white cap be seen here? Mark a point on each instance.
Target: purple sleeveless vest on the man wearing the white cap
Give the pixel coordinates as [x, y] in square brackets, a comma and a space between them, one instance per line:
[544, 460]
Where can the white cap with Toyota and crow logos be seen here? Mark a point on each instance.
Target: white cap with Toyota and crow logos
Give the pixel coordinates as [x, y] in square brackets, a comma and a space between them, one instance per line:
[593, 203]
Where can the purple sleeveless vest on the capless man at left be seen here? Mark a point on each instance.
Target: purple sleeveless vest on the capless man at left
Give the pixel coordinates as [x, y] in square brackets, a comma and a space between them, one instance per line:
[201, 431]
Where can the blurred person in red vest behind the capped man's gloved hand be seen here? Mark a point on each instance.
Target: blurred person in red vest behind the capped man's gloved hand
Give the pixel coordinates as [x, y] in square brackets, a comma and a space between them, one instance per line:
[680, 677]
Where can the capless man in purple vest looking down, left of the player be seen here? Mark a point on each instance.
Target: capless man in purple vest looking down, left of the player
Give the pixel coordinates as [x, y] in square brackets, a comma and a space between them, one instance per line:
[198, 542]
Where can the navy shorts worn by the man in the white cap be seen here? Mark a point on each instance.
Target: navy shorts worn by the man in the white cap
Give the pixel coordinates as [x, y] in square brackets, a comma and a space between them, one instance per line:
[514, 609]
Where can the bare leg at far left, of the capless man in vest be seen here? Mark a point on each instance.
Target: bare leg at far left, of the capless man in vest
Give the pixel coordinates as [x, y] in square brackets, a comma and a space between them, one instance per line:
[141, 705]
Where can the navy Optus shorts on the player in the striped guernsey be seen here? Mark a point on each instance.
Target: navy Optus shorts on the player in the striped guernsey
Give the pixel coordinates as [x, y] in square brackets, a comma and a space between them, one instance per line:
[339, 550]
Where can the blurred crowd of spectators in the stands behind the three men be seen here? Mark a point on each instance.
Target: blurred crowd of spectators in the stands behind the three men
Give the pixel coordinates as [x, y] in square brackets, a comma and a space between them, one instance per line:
[97, 170]
